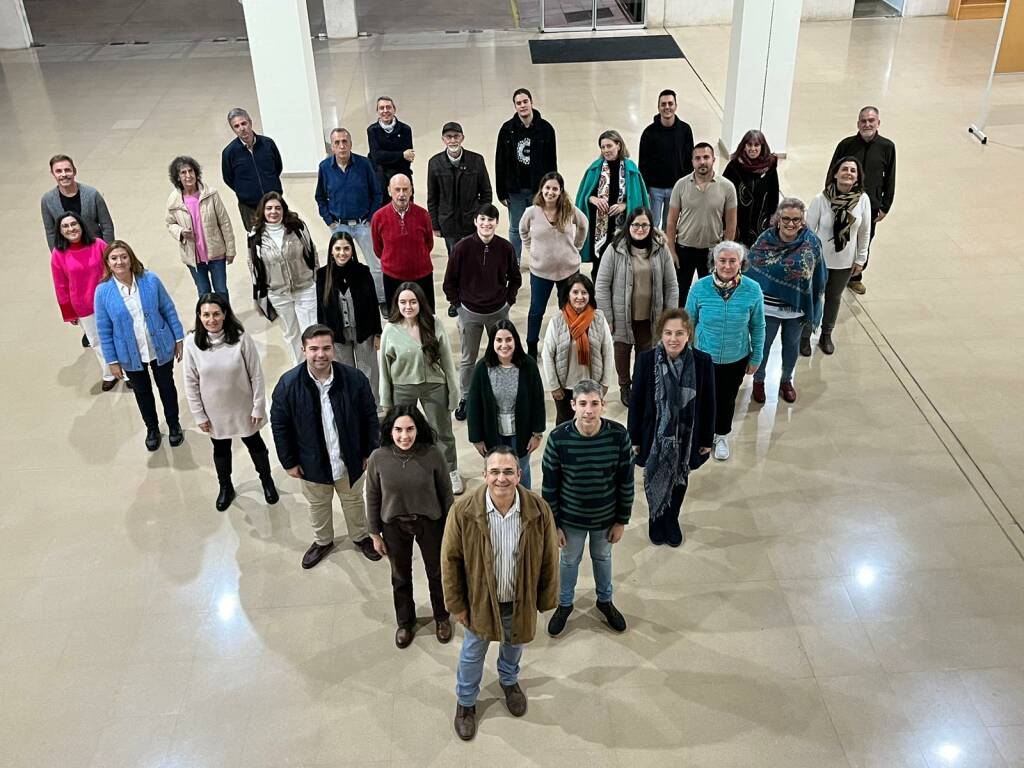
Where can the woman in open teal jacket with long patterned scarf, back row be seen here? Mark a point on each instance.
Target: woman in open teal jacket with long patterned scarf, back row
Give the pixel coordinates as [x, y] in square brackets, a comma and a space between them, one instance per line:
[611, 188]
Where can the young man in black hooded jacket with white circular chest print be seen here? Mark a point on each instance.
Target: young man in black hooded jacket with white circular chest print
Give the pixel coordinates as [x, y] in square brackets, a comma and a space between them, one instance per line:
[526, 152]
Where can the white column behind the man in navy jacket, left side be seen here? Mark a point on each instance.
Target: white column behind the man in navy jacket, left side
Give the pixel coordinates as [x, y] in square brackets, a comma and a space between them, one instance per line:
[286, 80]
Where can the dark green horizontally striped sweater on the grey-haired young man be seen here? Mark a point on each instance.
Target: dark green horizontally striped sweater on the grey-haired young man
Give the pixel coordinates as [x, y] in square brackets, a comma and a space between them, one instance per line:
[588, 482]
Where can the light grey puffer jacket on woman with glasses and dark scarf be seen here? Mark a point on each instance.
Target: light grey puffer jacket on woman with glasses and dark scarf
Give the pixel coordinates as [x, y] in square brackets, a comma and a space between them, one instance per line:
[614, 290]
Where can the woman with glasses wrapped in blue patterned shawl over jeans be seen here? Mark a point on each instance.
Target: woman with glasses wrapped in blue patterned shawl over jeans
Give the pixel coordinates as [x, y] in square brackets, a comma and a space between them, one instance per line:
[787, 263]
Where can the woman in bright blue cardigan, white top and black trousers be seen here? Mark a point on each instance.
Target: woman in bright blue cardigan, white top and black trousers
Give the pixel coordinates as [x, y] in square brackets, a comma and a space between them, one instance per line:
[140, 332]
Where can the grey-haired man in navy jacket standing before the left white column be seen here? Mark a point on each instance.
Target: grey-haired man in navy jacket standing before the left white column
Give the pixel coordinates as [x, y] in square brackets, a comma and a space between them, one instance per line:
[251, 165]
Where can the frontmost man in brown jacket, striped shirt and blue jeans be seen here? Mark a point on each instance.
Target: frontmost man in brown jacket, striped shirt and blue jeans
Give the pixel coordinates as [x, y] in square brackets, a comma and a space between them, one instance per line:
[499, 569]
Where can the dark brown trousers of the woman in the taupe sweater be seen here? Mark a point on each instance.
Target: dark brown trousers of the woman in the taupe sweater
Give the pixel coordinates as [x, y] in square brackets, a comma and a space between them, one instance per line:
[399, 535]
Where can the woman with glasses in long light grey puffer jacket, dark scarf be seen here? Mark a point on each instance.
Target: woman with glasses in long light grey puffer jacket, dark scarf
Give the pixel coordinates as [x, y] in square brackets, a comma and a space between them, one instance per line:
[635, 286]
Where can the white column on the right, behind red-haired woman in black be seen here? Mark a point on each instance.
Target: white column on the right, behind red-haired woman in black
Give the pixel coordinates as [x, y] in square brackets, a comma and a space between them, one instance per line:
[762, 63]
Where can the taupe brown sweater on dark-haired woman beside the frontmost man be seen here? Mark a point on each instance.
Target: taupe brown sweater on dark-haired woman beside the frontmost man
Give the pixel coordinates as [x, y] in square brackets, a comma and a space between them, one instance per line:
[399, 487]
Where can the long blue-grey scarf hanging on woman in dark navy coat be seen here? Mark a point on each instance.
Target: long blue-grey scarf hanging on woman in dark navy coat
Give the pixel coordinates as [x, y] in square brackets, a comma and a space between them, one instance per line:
[675, 399]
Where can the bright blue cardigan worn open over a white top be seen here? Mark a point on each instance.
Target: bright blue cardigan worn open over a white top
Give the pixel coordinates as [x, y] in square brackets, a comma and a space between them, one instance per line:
[114, 324]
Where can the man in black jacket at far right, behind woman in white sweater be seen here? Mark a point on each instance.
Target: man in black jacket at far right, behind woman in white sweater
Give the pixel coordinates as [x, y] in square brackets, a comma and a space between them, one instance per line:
[878, 157]
